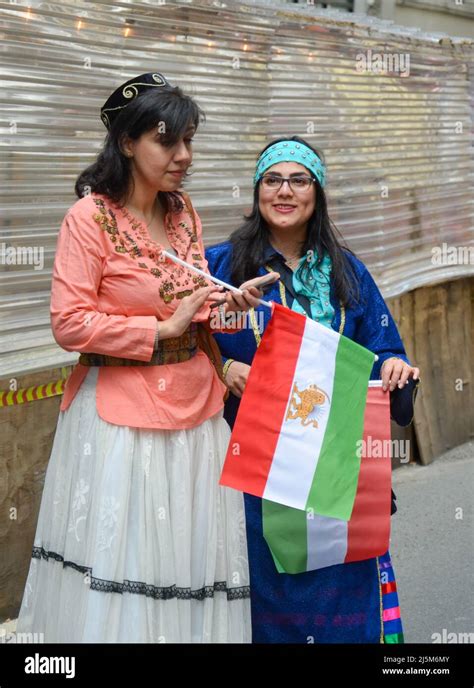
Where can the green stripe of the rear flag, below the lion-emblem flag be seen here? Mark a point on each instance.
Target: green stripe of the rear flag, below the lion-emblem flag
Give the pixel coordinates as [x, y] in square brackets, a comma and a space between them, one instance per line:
[285, 531]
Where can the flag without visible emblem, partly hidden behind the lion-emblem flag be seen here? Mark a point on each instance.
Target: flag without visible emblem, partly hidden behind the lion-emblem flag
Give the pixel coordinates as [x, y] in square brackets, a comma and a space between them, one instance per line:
[304, 541]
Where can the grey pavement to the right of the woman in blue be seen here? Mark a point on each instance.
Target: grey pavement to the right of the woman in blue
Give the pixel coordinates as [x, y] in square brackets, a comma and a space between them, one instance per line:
[432, 547]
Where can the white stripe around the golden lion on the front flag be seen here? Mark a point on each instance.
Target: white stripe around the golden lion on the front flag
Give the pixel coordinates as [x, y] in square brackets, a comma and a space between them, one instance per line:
[297, 452]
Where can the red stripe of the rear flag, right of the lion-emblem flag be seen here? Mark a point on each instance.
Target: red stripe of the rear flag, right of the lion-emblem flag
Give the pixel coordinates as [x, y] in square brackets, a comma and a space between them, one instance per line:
[369, 526]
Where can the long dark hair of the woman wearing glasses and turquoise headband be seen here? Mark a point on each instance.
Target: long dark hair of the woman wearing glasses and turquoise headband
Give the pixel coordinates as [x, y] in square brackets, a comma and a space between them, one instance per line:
[249, 240]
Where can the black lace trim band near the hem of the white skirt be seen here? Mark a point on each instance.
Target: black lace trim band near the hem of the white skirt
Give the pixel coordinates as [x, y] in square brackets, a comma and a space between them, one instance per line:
[139, 588]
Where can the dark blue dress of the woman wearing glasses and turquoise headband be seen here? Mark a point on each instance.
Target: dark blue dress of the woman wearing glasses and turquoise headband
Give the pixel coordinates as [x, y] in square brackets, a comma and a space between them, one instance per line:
[347, 603]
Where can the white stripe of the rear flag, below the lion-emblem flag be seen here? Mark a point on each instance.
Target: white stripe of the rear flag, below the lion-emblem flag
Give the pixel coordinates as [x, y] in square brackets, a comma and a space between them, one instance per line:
[326, 541]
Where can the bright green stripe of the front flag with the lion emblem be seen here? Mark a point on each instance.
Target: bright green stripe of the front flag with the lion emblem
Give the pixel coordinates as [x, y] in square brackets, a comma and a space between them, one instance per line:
[334, 484]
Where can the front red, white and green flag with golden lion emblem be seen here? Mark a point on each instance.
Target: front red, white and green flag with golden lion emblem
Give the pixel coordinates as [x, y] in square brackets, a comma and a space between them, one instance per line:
[300, 418]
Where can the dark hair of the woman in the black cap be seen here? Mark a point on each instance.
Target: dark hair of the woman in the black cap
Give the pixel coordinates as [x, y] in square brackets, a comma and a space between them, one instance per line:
[111, 173]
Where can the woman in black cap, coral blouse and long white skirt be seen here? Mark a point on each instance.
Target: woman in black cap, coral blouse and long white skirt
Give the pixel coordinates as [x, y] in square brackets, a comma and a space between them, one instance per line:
[136, 542]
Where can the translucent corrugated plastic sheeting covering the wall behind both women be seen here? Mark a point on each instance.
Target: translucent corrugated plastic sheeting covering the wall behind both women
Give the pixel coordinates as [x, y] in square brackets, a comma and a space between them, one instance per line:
[400, 176]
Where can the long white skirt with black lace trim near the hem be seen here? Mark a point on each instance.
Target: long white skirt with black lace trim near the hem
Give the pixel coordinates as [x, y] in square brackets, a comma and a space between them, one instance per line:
[136, 541]
